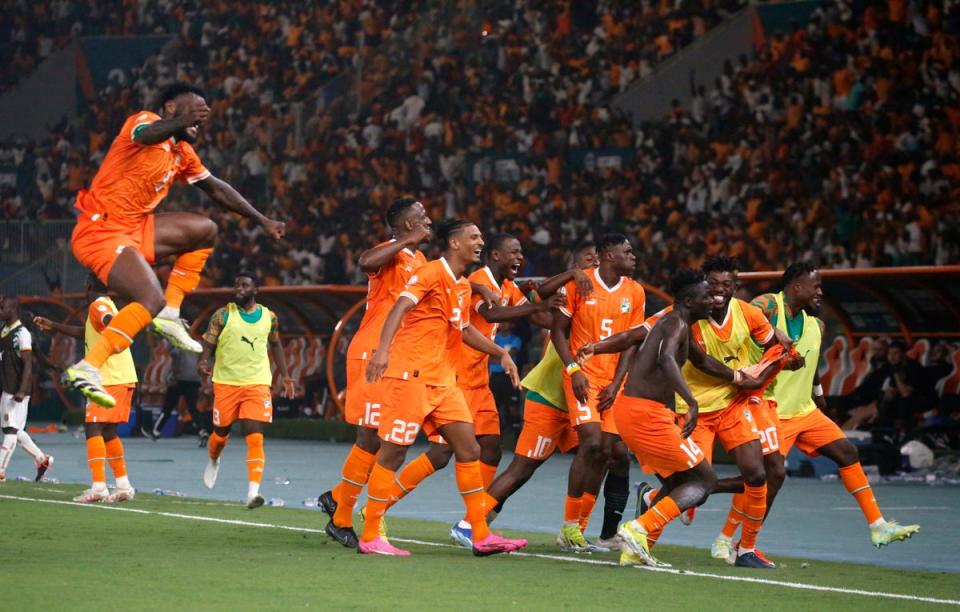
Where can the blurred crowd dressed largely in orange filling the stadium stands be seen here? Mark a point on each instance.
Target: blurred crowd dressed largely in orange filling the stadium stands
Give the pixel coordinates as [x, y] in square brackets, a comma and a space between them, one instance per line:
[836, 143]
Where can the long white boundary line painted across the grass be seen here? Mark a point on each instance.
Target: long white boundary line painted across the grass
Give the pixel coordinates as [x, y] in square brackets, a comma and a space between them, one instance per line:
[678, 572]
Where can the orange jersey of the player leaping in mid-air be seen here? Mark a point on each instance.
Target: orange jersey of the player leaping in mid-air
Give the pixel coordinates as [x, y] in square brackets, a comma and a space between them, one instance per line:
[134, 178]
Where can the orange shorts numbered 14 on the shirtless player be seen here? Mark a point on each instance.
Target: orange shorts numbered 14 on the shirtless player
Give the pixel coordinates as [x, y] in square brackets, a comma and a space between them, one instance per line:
[650, 431]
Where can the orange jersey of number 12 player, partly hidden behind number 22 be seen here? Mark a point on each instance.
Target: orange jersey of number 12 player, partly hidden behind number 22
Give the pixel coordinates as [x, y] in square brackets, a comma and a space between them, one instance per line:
[383, 288]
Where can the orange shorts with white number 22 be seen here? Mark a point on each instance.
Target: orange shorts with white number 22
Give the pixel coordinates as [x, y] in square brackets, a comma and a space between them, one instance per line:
[407, 406]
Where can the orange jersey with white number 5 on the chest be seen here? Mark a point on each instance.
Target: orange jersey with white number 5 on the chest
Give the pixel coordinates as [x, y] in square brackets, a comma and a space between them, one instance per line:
[606, 311]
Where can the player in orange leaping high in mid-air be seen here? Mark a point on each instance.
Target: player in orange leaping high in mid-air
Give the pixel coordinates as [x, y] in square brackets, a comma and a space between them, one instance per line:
[118, 237]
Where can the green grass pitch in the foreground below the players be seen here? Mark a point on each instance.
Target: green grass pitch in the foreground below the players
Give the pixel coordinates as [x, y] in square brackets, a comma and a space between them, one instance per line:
[163, 553]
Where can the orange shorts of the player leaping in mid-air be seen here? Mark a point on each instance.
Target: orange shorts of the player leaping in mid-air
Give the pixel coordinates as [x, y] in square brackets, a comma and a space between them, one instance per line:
[97, 244]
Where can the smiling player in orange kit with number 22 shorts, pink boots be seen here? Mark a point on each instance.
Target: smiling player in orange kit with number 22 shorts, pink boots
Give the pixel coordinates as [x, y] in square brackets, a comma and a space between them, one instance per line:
[419, 388]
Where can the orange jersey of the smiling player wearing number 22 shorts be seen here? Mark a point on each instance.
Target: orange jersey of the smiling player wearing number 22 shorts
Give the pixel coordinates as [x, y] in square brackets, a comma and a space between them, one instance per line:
[421, 349]
